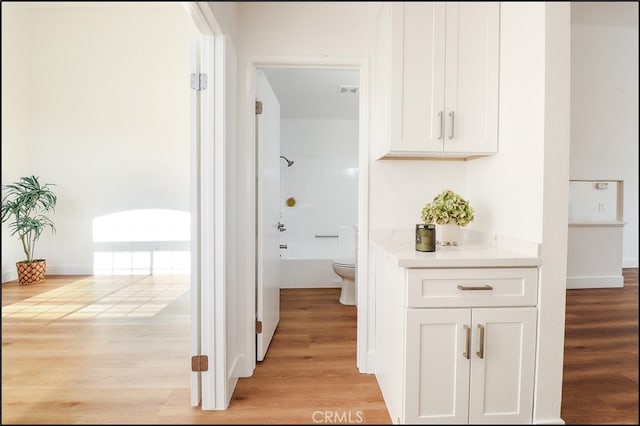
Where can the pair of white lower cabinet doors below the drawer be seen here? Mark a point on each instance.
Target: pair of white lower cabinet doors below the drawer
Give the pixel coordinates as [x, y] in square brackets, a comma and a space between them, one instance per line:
[470, 365]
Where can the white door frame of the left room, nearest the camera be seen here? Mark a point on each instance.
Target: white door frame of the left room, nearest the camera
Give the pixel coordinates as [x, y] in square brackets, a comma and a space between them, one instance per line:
[207, 199]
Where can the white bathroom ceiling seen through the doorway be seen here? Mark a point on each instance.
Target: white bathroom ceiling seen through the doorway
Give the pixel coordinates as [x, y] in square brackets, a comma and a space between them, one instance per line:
[312, 93]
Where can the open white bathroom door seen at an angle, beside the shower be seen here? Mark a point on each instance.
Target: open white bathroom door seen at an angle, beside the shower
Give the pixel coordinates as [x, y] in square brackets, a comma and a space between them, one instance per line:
[268, 215]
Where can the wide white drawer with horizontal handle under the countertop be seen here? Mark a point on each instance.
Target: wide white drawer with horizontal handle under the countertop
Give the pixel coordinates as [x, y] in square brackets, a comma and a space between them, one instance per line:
[472, 287]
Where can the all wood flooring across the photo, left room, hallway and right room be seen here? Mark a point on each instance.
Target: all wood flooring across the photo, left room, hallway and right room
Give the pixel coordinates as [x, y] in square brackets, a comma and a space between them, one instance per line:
[89, 350]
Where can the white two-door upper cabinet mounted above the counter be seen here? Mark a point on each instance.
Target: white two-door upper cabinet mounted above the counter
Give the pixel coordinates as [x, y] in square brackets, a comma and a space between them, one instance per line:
[437, 71]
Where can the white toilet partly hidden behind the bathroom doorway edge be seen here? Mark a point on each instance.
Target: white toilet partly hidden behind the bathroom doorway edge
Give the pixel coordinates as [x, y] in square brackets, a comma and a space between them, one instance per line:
[345, 264]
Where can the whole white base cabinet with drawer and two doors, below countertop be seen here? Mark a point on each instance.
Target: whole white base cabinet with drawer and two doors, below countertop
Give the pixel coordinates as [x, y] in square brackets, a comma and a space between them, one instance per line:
[458, 344]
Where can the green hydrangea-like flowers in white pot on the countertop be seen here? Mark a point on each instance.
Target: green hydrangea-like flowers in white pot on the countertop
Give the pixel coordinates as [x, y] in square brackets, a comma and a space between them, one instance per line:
[448, 211]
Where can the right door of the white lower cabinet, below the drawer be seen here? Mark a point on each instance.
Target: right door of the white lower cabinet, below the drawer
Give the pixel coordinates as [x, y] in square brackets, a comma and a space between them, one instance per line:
[502, 365]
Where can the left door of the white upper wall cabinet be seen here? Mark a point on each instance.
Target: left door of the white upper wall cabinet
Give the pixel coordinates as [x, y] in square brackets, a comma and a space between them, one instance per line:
[417, 77]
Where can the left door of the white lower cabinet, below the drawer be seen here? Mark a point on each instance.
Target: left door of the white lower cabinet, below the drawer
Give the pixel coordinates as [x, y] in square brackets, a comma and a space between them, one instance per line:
[437, 366]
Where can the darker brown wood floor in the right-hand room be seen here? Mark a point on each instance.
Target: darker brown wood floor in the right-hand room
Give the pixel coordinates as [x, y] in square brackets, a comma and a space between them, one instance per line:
[600, 378]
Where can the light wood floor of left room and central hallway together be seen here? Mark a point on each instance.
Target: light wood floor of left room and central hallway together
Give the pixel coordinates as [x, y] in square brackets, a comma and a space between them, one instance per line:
[88, 350]
